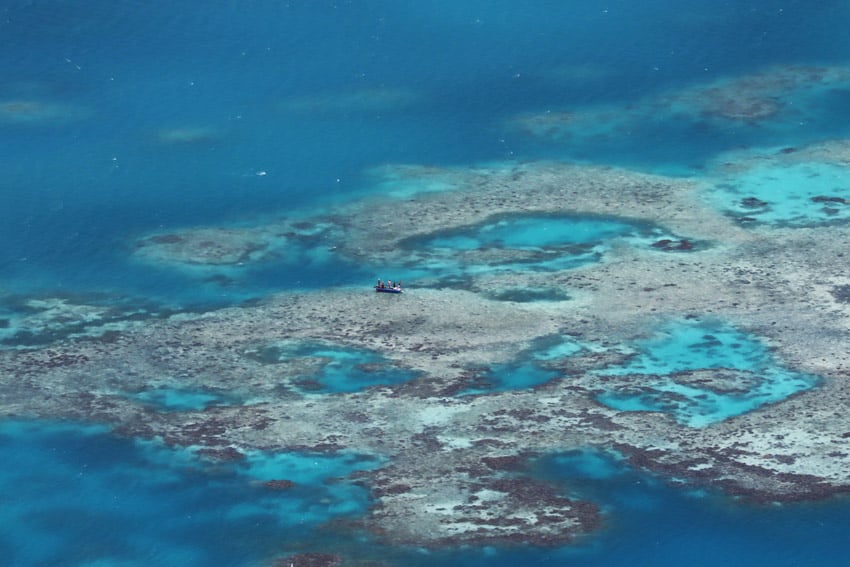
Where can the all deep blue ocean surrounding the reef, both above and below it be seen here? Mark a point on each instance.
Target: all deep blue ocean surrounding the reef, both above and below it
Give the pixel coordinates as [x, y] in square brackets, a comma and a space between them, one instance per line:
[121, 118]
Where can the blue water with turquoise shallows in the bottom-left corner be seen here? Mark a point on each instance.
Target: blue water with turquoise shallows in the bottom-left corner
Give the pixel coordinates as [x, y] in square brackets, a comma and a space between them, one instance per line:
[79, 496]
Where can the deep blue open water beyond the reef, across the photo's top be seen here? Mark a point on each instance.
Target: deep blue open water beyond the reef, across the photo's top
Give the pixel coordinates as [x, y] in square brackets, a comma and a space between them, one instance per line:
[77, 191]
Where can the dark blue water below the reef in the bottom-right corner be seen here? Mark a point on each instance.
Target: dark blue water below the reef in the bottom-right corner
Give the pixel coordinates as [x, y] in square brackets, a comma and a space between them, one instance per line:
[650, 523]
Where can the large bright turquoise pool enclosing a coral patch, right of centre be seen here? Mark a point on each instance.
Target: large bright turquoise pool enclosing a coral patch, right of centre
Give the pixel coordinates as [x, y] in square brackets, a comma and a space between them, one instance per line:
[701, 373]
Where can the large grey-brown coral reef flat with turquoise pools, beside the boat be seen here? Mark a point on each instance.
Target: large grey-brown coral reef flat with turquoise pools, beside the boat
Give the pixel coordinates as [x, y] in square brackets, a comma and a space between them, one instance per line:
[683, 266]
